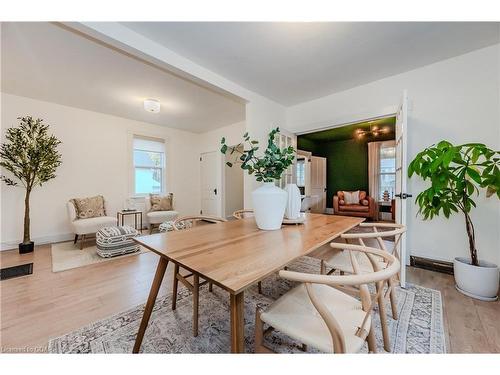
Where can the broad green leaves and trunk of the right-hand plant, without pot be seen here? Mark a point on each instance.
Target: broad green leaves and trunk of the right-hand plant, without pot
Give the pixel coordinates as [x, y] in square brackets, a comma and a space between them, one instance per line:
[456, 173]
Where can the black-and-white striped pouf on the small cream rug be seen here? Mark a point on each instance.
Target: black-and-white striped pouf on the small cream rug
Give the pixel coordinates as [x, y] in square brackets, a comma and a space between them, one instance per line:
[116, 240]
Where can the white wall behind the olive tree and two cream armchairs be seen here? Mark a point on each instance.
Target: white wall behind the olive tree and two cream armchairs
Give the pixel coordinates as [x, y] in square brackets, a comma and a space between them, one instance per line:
[96, 159]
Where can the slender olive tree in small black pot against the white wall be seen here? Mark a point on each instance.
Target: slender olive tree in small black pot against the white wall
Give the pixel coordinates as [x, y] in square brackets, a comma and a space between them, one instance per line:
[30, 155]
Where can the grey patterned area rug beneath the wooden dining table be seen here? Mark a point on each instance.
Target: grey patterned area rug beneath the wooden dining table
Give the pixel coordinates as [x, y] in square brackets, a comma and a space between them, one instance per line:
[419, 328]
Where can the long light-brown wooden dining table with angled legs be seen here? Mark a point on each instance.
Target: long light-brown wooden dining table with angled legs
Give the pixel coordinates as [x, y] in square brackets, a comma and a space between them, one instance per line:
[235, 255]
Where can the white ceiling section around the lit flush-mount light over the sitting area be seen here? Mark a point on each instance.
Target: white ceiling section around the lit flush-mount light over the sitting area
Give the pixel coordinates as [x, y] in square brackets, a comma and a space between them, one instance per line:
[47, 62]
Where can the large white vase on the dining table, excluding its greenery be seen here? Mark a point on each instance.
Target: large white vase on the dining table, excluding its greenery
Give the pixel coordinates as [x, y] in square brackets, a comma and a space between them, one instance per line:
[269, 203]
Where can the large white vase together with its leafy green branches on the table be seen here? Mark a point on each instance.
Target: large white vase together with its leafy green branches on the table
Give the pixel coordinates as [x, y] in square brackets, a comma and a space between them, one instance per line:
[269, 201]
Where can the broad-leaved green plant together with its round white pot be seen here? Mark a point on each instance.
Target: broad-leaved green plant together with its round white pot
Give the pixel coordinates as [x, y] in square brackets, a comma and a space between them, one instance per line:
[456, 174]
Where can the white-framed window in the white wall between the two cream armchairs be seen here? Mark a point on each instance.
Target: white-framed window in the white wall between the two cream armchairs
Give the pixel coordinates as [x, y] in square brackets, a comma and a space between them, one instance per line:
[149, 165]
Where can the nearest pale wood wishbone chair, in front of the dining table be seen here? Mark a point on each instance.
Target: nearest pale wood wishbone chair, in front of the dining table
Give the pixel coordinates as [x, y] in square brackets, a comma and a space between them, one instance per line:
[321, 313]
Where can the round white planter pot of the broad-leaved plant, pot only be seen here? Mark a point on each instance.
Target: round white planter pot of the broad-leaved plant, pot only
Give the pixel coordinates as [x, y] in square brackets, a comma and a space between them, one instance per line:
[477, 282]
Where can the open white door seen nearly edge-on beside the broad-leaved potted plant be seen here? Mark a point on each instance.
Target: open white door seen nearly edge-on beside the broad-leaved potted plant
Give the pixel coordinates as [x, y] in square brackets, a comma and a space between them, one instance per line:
[401, 179]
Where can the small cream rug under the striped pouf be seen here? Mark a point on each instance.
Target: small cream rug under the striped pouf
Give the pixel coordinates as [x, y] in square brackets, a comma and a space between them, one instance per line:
[66, 255]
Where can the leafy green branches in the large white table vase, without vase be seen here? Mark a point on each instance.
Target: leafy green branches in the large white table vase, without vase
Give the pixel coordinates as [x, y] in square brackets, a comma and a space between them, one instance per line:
[267, 167]
